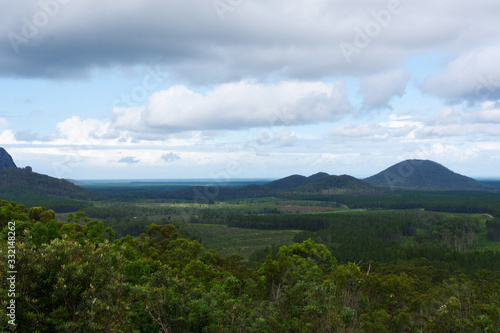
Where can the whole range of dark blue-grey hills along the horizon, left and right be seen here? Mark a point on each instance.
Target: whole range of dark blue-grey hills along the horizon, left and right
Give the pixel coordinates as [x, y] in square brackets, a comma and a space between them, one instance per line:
[408, 175]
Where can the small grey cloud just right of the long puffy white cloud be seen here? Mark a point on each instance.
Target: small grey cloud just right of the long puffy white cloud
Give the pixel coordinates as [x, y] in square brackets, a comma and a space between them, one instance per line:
[377, 90]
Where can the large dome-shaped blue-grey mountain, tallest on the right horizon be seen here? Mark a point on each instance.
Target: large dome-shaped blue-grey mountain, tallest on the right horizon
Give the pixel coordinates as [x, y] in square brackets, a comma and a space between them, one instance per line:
[423, 175]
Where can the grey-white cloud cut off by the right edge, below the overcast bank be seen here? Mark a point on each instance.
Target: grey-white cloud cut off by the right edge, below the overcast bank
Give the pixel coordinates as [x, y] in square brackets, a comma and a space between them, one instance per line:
[472, 77]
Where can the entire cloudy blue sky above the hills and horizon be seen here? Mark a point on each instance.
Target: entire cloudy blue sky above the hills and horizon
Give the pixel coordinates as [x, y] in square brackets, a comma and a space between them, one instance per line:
[228, 89]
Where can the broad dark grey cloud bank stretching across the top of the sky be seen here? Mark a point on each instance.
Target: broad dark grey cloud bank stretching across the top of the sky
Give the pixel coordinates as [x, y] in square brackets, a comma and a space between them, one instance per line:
[195, 46]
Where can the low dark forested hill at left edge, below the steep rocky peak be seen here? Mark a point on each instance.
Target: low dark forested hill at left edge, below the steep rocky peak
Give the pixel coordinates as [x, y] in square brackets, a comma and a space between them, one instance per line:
[26, 180]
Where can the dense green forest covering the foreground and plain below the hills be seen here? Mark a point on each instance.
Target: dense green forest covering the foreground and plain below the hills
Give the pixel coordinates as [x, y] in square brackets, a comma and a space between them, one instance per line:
[78, 276]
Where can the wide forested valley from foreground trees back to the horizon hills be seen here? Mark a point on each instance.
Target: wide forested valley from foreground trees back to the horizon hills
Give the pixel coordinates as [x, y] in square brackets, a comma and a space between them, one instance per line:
[297, 254]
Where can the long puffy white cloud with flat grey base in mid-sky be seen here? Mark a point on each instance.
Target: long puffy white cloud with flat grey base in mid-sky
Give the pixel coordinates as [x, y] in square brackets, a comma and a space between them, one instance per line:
[233, 106]
